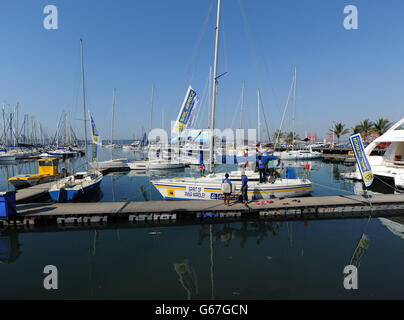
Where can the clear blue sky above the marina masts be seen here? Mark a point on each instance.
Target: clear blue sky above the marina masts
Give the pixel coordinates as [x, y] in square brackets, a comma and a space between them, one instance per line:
[343, 76]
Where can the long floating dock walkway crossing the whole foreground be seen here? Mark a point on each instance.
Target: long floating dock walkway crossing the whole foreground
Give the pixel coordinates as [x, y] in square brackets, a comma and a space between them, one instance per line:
[330, 207]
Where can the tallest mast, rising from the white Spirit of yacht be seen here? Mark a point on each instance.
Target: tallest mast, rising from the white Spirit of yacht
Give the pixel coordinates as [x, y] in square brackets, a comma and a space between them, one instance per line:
[212, 121]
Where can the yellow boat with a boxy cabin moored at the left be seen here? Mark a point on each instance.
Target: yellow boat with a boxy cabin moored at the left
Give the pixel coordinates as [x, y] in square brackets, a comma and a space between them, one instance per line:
[48, 170]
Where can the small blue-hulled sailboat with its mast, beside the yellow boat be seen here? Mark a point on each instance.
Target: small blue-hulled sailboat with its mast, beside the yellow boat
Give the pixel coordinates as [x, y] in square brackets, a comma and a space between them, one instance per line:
[80, 184]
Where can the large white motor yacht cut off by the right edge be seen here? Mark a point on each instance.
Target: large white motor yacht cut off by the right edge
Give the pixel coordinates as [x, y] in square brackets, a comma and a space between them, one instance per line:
[389, 166]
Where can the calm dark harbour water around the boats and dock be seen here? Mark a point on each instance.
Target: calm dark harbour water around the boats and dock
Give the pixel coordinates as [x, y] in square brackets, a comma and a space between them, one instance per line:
[251, 259]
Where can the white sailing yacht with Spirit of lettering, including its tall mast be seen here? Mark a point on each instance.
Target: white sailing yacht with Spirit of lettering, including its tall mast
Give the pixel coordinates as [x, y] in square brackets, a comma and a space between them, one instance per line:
[209, 187]
